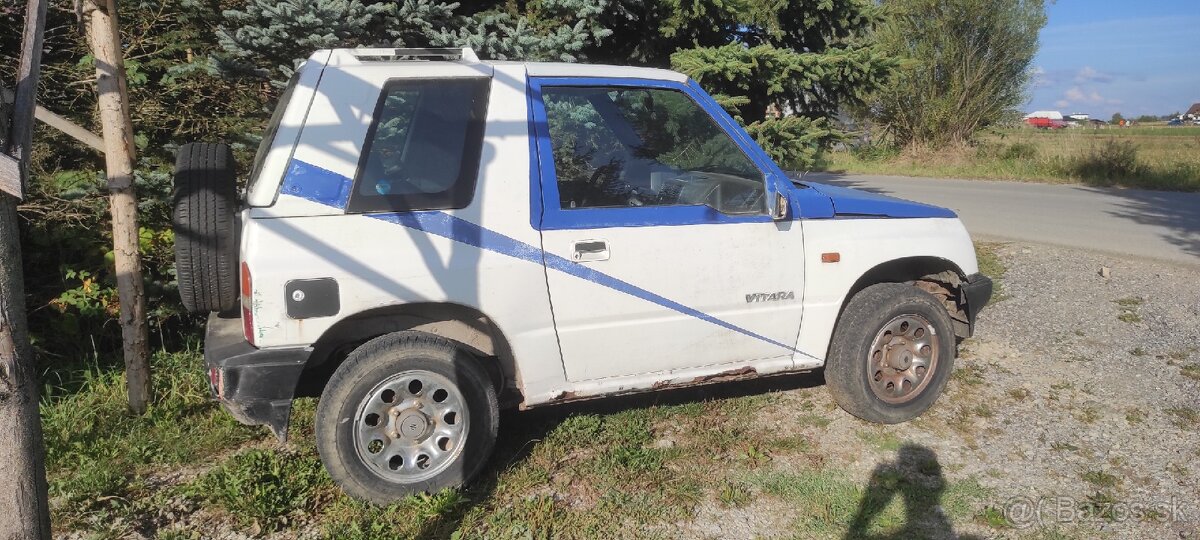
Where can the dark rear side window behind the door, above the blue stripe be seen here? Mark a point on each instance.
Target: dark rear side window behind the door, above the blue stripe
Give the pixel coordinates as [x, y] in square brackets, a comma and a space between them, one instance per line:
[423, 148]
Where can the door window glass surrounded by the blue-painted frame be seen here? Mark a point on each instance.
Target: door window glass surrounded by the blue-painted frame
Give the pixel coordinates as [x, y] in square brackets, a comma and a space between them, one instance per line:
[645, 147]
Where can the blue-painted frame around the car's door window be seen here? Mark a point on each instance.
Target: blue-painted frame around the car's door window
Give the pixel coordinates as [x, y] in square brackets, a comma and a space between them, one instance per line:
[544, 182]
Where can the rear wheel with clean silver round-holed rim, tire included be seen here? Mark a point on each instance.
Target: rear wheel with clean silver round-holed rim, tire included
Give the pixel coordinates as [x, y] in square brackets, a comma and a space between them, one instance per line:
[406, 413]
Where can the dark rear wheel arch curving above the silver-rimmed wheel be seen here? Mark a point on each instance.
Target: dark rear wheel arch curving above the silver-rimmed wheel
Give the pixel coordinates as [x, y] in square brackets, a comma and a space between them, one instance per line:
[466, 326]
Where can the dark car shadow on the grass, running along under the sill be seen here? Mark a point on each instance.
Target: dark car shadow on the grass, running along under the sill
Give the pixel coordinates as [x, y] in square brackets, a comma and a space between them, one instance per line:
[523, 431]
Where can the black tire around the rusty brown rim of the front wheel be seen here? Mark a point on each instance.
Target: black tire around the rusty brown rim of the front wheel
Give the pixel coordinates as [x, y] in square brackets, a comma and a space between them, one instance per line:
[851, 365]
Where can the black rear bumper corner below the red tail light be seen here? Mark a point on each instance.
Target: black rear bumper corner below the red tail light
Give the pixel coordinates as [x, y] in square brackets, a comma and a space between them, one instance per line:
[256, 386]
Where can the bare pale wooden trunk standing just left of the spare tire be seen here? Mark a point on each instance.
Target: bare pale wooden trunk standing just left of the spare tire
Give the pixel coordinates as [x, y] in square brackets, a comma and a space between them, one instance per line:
[115, 117]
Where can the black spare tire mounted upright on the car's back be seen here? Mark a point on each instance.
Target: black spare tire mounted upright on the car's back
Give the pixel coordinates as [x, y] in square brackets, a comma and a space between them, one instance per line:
[206, 223]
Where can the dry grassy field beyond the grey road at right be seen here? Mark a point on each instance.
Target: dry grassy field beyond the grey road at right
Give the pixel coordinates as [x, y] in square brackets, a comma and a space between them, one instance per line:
[1155, 158]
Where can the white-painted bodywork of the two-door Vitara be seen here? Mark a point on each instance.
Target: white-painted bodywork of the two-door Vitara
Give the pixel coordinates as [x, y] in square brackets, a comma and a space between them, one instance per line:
[607, 341]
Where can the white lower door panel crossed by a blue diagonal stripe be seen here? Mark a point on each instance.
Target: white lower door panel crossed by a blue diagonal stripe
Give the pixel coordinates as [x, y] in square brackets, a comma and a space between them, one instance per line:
[710, 268]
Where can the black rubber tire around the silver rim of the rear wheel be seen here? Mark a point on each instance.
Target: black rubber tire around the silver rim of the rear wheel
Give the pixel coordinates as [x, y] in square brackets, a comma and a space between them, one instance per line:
[358, 380]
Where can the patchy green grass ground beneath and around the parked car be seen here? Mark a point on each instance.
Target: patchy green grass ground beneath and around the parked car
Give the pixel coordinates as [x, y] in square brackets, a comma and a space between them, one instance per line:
[574, 472]
